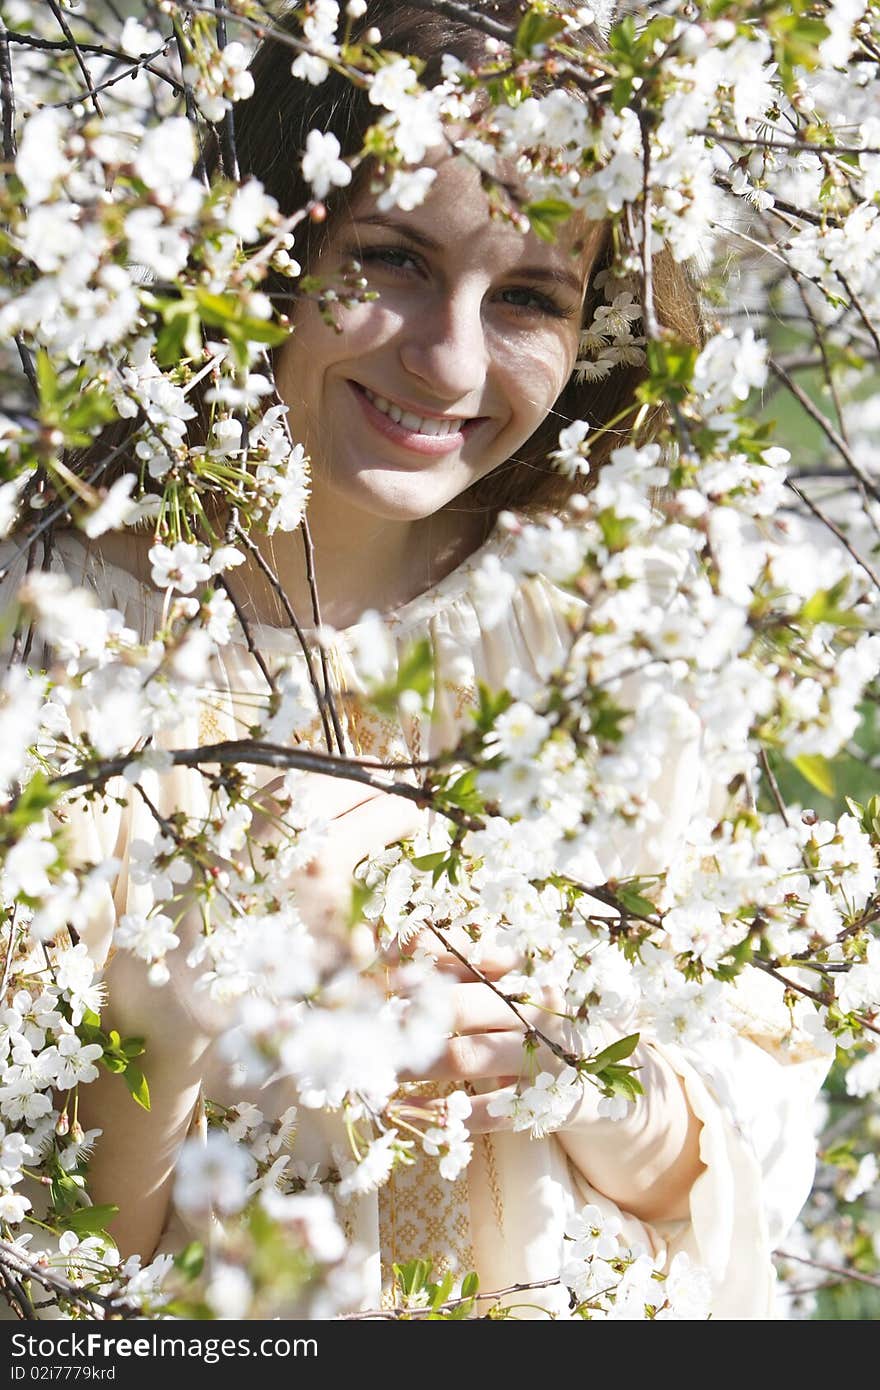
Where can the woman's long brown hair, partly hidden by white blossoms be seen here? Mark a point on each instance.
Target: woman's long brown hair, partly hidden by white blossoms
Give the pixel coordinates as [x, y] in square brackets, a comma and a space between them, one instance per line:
[270, 134]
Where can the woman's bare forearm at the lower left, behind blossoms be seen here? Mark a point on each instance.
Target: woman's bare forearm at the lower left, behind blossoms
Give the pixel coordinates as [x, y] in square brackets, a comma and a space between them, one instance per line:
[136, 1157]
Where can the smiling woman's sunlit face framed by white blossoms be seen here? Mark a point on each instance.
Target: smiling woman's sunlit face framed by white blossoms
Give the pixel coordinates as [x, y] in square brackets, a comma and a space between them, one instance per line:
[450, 372]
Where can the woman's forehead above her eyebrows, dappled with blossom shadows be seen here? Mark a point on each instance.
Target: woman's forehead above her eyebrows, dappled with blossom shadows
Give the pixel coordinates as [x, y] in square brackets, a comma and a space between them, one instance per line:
[458, 216]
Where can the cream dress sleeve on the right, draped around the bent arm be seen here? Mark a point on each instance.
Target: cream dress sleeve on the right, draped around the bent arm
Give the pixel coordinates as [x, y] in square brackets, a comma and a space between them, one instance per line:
[750, 1085]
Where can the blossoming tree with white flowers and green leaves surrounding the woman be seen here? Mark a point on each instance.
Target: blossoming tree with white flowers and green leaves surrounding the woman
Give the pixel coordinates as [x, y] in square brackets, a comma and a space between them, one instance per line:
[738, 134]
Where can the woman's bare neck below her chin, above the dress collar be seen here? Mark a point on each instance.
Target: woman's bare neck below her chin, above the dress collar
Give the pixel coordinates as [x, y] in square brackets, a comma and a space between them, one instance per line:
[361, 562]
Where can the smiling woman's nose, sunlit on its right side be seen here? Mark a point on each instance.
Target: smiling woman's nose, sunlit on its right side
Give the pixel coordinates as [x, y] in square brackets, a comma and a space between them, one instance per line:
[446, 345]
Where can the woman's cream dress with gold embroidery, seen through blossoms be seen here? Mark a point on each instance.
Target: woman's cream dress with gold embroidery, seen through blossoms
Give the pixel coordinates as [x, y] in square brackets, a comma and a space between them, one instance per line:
[505, 1217]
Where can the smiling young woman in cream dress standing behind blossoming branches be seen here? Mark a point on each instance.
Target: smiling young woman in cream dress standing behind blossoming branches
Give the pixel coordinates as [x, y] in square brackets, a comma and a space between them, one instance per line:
[433, 409]
